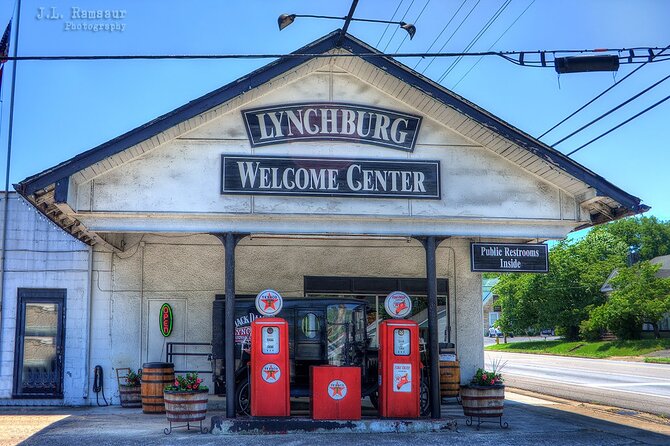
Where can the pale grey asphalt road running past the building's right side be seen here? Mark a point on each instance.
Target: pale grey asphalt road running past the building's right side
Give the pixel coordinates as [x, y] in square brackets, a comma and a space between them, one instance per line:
[628, 385]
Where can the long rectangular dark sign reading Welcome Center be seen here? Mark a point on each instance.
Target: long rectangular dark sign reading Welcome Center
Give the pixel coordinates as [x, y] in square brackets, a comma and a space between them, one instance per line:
[331, 177]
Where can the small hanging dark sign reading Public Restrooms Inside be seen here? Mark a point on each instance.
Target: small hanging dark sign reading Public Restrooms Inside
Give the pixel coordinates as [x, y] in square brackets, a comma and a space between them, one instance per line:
[509, 257]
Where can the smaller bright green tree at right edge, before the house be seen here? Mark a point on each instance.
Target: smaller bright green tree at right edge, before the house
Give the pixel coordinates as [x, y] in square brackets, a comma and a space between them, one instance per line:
[639, 297]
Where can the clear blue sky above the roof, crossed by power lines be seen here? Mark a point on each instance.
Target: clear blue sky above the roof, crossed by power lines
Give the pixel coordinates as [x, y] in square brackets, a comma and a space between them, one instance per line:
[66, 107]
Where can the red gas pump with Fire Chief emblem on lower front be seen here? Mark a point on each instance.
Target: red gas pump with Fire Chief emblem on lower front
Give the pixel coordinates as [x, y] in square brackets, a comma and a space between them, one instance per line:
[399, 360]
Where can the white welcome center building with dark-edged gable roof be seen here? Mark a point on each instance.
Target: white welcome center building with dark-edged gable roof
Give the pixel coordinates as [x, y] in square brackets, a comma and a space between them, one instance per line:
[155, 203]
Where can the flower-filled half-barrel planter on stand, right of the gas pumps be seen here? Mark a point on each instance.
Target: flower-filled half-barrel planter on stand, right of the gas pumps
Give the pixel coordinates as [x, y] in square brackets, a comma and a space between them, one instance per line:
[484, 397]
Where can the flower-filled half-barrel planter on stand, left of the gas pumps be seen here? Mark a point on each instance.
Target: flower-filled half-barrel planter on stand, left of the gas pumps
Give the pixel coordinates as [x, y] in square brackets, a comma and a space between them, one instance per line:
[185, 401]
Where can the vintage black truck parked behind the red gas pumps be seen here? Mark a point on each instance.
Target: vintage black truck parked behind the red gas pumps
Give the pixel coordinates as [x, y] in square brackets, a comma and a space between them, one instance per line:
[334, 331]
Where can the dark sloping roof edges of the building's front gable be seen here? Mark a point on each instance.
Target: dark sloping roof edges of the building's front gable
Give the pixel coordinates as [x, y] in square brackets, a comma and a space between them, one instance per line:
[615, 203]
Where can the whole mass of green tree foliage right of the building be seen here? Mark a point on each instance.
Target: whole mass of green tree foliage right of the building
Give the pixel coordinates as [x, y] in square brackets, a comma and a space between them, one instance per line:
[569, 299]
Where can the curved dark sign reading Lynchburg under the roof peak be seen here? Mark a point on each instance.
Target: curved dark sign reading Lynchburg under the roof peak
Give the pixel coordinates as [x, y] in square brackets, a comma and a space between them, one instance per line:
[331, 121]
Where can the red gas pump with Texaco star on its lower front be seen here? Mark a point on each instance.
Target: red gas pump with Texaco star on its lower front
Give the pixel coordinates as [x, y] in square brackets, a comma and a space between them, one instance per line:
[270, 394]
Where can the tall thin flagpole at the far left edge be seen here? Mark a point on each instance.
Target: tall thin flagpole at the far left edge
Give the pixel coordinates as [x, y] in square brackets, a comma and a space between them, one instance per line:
[3, 263]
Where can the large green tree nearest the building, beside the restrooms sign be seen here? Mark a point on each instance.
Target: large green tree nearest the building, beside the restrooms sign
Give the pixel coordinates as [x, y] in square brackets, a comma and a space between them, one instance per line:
[563, 297]
